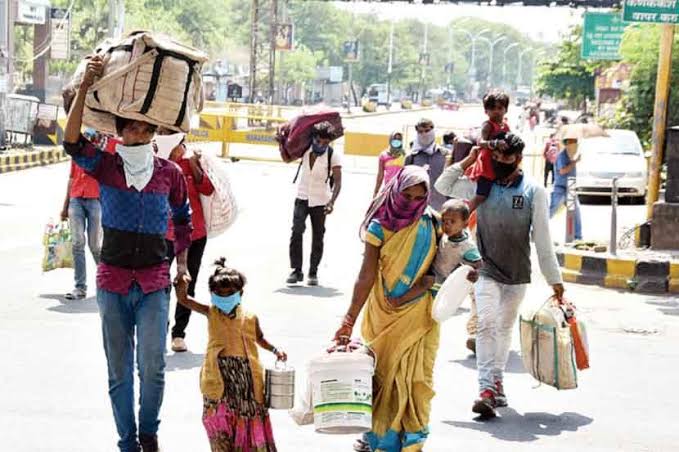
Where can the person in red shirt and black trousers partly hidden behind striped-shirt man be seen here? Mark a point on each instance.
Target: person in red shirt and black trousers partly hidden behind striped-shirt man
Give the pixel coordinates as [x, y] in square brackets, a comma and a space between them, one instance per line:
[171, 145]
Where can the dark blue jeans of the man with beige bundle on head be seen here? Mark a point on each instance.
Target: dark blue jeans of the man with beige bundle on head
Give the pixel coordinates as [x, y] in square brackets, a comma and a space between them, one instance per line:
[120, 316]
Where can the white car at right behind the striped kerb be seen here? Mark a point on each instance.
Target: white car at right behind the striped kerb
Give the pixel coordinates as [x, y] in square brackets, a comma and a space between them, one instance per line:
[605, 158]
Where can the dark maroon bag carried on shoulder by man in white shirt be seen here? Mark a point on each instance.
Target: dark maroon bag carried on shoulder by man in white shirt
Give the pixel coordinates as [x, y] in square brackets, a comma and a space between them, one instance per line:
[294, 137]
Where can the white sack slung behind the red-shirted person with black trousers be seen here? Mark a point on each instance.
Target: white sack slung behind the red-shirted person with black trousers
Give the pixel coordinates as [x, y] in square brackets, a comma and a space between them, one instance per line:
[221, 208]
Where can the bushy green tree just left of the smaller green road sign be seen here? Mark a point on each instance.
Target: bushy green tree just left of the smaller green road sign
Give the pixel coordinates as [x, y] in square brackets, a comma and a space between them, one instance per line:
[567, 76]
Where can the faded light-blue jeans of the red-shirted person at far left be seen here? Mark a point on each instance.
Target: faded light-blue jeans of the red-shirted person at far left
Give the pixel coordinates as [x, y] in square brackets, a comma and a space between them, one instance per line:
[85, 215]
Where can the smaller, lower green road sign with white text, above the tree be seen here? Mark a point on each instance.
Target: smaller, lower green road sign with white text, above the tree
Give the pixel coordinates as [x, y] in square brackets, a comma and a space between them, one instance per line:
[601, 36]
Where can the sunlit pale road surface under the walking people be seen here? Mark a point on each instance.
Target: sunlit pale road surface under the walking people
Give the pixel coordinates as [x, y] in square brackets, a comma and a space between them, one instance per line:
[54, 386]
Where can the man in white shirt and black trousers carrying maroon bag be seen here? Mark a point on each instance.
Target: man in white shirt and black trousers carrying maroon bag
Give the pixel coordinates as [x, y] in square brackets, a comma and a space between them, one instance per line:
[320, 182]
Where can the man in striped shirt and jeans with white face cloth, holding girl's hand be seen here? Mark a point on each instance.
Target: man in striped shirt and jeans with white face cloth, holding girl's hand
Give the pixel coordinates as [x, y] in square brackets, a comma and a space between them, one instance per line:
[133, 283]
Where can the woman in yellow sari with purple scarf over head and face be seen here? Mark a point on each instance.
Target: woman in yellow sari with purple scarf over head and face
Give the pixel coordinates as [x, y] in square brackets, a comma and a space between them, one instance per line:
[400, 235]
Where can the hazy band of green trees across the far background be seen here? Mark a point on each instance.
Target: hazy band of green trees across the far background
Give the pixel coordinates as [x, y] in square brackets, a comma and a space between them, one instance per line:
[222, 28]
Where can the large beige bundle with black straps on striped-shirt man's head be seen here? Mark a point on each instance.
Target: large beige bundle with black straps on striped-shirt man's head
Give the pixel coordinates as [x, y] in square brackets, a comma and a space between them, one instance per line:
[147, 77]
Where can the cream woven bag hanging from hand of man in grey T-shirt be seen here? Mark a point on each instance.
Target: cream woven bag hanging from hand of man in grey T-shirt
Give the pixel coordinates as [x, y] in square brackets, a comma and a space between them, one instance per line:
[547, 347]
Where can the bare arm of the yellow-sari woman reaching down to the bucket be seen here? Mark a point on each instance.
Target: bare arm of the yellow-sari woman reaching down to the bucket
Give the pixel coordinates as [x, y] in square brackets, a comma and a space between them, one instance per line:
[362, 287]
